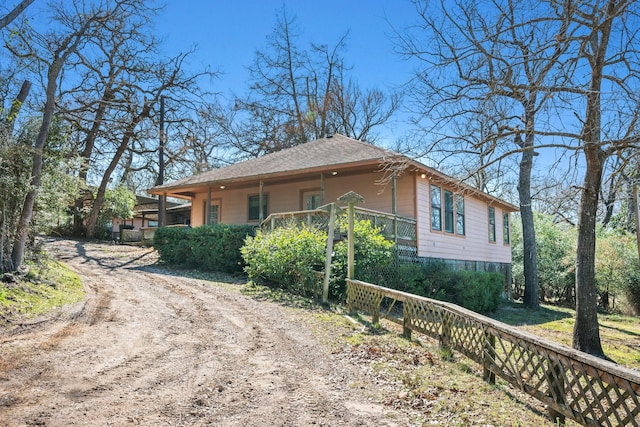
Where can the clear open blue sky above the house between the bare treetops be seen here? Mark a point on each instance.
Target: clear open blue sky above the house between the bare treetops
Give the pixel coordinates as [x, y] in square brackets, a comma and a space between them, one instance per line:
[228, 33]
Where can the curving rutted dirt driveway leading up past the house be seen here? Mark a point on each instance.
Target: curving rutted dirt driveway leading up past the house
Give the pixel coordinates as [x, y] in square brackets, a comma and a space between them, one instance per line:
[149, 348]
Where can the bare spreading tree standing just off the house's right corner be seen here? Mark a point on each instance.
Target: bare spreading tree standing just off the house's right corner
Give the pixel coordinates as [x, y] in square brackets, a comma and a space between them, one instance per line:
[474, 57]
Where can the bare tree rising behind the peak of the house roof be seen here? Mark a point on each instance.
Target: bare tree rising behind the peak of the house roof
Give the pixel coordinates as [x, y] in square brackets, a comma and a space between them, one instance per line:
[302, 94]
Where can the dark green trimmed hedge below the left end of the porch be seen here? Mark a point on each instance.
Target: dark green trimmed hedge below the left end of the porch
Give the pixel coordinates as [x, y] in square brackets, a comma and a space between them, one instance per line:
[209, 248]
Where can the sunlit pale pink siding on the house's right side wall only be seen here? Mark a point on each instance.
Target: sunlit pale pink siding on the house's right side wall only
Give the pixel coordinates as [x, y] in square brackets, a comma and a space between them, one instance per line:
[474, 245]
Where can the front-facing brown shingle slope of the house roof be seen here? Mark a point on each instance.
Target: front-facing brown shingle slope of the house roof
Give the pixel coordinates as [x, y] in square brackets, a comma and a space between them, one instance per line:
[326, 152]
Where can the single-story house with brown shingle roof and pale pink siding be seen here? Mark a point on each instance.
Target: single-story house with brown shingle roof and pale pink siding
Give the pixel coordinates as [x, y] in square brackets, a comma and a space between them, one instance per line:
[467, 228]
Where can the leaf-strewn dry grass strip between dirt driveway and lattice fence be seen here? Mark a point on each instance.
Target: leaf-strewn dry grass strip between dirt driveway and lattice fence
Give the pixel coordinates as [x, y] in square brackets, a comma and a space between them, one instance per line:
[417, 378]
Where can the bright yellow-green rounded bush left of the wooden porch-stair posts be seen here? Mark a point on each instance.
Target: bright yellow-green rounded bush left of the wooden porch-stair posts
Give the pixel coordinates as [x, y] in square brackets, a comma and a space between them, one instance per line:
[285, 256]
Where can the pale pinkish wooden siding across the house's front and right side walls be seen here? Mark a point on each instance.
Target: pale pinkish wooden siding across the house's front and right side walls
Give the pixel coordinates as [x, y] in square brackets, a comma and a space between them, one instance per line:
[412, 200]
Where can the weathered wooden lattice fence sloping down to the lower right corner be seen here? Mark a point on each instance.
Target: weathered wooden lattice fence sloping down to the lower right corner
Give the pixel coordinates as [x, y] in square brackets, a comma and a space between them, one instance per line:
[572, 384]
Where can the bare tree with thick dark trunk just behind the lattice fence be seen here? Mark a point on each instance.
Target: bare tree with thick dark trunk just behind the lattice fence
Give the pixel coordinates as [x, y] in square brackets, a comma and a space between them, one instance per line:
[608, 49]
